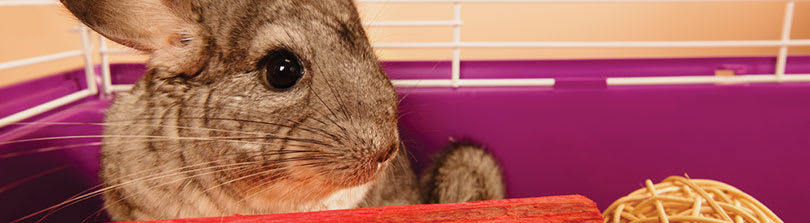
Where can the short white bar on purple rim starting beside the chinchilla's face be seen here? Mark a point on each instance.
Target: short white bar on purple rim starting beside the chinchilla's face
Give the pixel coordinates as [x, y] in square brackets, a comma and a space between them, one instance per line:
[474, 82]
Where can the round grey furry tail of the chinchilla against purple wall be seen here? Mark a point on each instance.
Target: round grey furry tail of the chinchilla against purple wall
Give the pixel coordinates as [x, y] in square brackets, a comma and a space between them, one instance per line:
[463, 172]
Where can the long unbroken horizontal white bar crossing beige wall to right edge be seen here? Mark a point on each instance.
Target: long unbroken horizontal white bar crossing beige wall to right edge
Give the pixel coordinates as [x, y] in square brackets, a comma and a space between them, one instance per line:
[598, 44]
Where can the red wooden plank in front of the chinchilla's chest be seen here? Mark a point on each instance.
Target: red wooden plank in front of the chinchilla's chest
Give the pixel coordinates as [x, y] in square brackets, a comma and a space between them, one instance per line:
[555, 209]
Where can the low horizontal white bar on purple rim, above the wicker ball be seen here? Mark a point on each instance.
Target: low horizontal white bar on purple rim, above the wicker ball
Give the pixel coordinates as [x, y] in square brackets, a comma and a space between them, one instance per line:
[707, 79]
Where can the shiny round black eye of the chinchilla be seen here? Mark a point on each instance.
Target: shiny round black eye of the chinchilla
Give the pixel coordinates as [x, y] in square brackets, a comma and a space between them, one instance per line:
[282, 69]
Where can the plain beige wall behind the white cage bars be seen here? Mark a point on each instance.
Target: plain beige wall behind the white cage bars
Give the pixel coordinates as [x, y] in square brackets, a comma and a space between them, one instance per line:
[34, 31]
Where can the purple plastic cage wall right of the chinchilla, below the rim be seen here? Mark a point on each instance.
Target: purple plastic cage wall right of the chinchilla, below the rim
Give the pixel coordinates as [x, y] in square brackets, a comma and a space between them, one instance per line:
[603, 143]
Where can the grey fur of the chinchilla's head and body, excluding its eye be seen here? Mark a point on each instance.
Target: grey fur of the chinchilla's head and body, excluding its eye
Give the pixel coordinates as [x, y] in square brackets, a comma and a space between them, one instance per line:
[200, 135]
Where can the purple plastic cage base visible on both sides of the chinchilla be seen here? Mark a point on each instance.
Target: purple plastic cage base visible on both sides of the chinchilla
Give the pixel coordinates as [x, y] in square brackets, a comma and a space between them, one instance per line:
[590, 139]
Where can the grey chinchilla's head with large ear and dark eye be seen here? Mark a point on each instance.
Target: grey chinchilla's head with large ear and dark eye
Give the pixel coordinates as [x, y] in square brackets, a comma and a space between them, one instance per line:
[291, 84]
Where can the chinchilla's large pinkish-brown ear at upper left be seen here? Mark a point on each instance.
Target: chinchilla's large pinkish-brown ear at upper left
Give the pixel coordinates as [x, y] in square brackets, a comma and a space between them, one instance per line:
[163, 28]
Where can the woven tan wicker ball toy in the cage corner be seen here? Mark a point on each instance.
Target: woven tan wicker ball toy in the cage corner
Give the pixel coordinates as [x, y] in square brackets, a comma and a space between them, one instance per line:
[678, 199]
